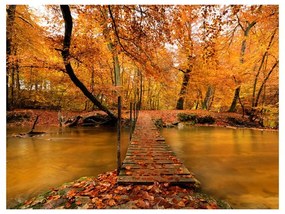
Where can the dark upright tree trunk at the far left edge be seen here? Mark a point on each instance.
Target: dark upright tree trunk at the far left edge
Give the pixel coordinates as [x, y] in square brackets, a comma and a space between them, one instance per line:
[9, 34]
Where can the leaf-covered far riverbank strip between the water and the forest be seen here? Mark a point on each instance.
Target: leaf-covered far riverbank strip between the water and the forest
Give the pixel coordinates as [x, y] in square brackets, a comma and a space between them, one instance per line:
[49, 118]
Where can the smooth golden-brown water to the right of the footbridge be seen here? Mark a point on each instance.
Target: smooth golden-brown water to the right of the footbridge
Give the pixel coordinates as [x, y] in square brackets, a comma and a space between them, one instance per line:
[240, 166]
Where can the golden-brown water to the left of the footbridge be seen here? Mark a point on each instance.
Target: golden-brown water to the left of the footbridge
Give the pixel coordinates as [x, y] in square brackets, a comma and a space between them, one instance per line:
[37, 164]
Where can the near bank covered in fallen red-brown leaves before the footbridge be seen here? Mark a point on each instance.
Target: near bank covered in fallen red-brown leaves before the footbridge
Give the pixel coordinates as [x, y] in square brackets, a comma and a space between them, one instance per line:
[104, 192]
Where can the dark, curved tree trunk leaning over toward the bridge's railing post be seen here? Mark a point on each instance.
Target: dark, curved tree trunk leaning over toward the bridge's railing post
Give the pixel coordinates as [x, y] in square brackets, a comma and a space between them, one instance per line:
[66, 58]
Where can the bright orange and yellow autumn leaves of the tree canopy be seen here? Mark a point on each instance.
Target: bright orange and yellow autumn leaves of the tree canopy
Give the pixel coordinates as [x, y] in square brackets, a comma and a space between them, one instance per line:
[153, 40]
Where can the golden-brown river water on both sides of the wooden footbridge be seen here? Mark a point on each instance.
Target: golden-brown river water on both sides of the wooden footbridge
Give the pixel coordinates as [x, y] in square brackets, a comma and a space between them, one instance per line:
[240, 166]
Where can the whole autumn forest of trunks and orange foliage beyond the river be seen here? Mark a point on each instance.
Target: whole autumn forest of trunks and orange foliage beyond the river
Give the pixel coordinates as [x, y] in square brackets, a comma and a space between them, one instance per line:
[220, 58]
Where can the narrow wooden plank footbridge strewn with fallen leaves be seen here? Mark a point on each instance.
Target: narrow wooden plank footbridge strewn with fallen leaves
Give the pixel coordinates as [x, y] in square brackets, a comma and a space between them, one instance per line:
[149, 159]
